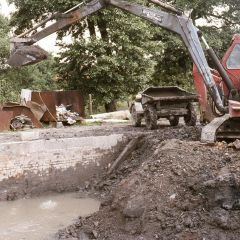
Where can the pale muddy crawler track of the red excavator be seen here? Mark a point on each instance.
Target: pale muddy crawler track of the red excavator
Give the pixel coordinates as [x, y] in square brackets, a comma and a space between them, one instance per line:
[221, 128]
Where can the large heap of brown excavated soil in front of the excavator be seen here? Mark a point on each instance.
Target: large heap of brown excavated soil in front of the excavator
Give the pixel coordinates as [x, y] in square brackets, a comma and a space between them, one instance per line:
[171, 187]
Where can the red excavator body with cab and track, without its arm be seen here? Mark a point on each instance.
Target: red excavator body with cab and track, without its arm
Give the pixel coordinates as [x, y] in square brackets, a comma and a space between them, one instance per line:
[221, 126]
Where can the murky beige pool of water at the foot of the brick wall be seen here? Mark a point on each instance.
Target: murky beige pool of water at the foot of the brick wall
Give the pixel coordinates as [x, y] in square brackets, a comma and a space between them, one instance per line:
[39, 218]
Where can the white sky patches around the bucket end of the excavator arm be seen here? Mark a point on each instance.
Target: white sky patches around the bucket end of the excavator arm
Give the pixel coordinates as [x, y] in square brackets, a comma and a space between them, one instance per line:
[47, 43]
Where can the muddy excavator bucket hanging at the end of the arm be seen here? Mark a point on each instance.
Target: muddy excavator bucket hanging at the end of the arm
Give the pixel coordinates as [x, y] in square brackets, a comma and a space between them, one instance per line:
[27, 55]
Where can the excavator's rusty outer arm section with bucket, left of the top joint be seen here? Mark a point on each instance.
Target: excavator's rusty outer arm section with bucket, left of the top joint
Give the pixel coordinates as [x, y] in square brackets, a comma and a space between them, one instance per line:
[22, 54]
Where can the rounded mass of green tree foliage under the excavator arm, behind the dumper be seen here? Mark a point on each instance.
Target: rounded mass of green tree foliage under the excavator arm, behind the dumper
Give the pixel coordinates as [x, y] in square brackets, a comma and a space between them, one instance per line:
[111, 69]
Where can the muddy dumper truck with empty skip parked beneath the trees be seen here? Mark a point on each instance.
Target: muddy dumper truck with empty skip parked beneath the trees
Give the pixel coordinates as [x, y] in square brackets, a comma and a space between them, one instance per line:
[164, 102]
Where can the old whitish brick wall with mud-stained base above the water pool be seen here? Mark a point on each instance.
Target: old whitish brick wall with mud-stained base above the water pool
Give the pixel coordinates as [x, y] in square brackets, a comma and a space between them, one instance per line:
[33, 164]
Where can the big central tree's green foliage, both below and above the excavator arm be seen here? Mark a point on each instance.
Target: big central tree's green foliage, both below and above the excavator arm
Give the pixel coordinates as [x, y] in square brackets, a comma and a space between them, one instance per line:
[109, 66]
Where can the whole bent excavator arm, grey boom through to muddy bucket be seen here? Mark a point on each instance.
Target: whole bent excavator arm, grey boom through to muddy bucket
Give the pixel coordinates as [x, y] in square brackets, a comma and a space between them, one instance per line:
[23, 53]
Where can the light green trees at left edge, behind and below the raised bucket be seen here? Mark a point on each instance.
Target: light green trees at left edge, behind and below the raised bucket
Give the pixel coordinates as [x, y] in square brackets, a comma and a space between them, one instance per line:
[12, 80]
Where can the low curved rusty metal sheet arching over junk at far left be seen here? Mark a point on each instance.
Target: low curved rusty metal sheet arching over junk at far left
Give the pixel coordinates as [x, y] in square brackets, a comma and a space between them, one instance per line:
[18, 110]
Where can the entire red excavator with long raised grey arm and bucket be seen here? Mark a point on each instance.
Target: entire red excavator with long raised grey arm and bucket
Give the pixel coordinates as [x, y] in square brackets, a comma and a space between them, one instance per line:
[218, 89]
